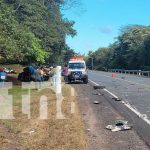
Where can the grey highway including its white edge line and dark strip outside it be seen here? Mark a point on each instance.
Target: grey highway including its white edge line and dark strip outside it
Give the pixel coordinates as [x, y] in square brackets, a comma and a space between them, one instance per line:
[134, 92]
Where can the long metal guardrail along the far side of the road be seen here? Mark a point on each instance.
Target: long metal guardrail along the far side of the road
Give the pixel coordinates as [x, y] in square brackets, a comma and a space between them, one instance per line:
[134, 72]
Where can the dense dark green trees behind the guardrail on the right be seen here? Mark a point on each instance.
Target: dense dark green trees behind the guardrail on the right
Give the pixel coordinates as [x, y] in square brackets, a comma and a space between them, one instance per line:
[130, 51]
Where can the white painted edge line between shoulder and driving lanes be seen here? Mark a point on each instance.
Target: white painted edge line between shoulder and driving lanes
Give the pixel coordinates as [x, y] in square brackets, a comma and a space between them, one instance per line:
[142, 116]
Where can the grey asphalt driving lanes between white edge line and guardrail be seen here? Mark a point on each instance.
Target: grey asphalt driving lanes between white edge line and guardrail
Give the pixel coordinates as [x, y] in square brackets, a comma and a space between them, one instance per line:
[134, 90]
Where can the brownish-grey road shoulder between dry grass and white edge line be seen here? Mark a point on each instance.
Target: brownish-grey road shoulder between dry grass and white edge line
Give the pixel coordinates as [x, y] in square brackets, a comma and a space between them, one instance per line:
[97, 116]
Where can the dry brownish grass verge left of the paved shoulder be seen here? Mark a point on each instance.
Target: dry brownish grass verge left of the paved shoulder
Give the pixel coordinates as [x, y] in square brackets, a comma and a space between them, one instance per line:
[48, 134]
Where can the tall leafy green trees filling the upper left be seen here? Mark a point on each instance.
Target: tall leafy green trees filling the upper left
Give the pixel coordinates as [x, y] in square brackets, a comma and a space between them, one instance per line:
[33, 31]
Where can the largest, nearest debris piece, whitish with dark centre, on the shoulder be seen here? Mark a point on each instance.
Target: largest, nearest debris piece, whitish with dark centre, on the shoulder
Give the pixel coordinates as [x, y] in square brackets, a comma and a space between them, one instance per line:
[119, 125]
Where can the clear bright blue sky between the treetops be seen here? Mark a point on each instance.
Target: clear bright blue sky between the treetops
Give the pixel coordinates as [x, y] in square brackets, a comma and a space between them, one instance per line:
[98, 22]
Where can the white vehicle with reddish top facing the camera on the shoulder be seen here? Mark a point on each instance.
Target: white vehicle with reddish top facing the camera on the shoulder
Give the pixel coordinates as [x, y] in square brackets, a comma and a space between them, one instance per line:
[77, 70]
